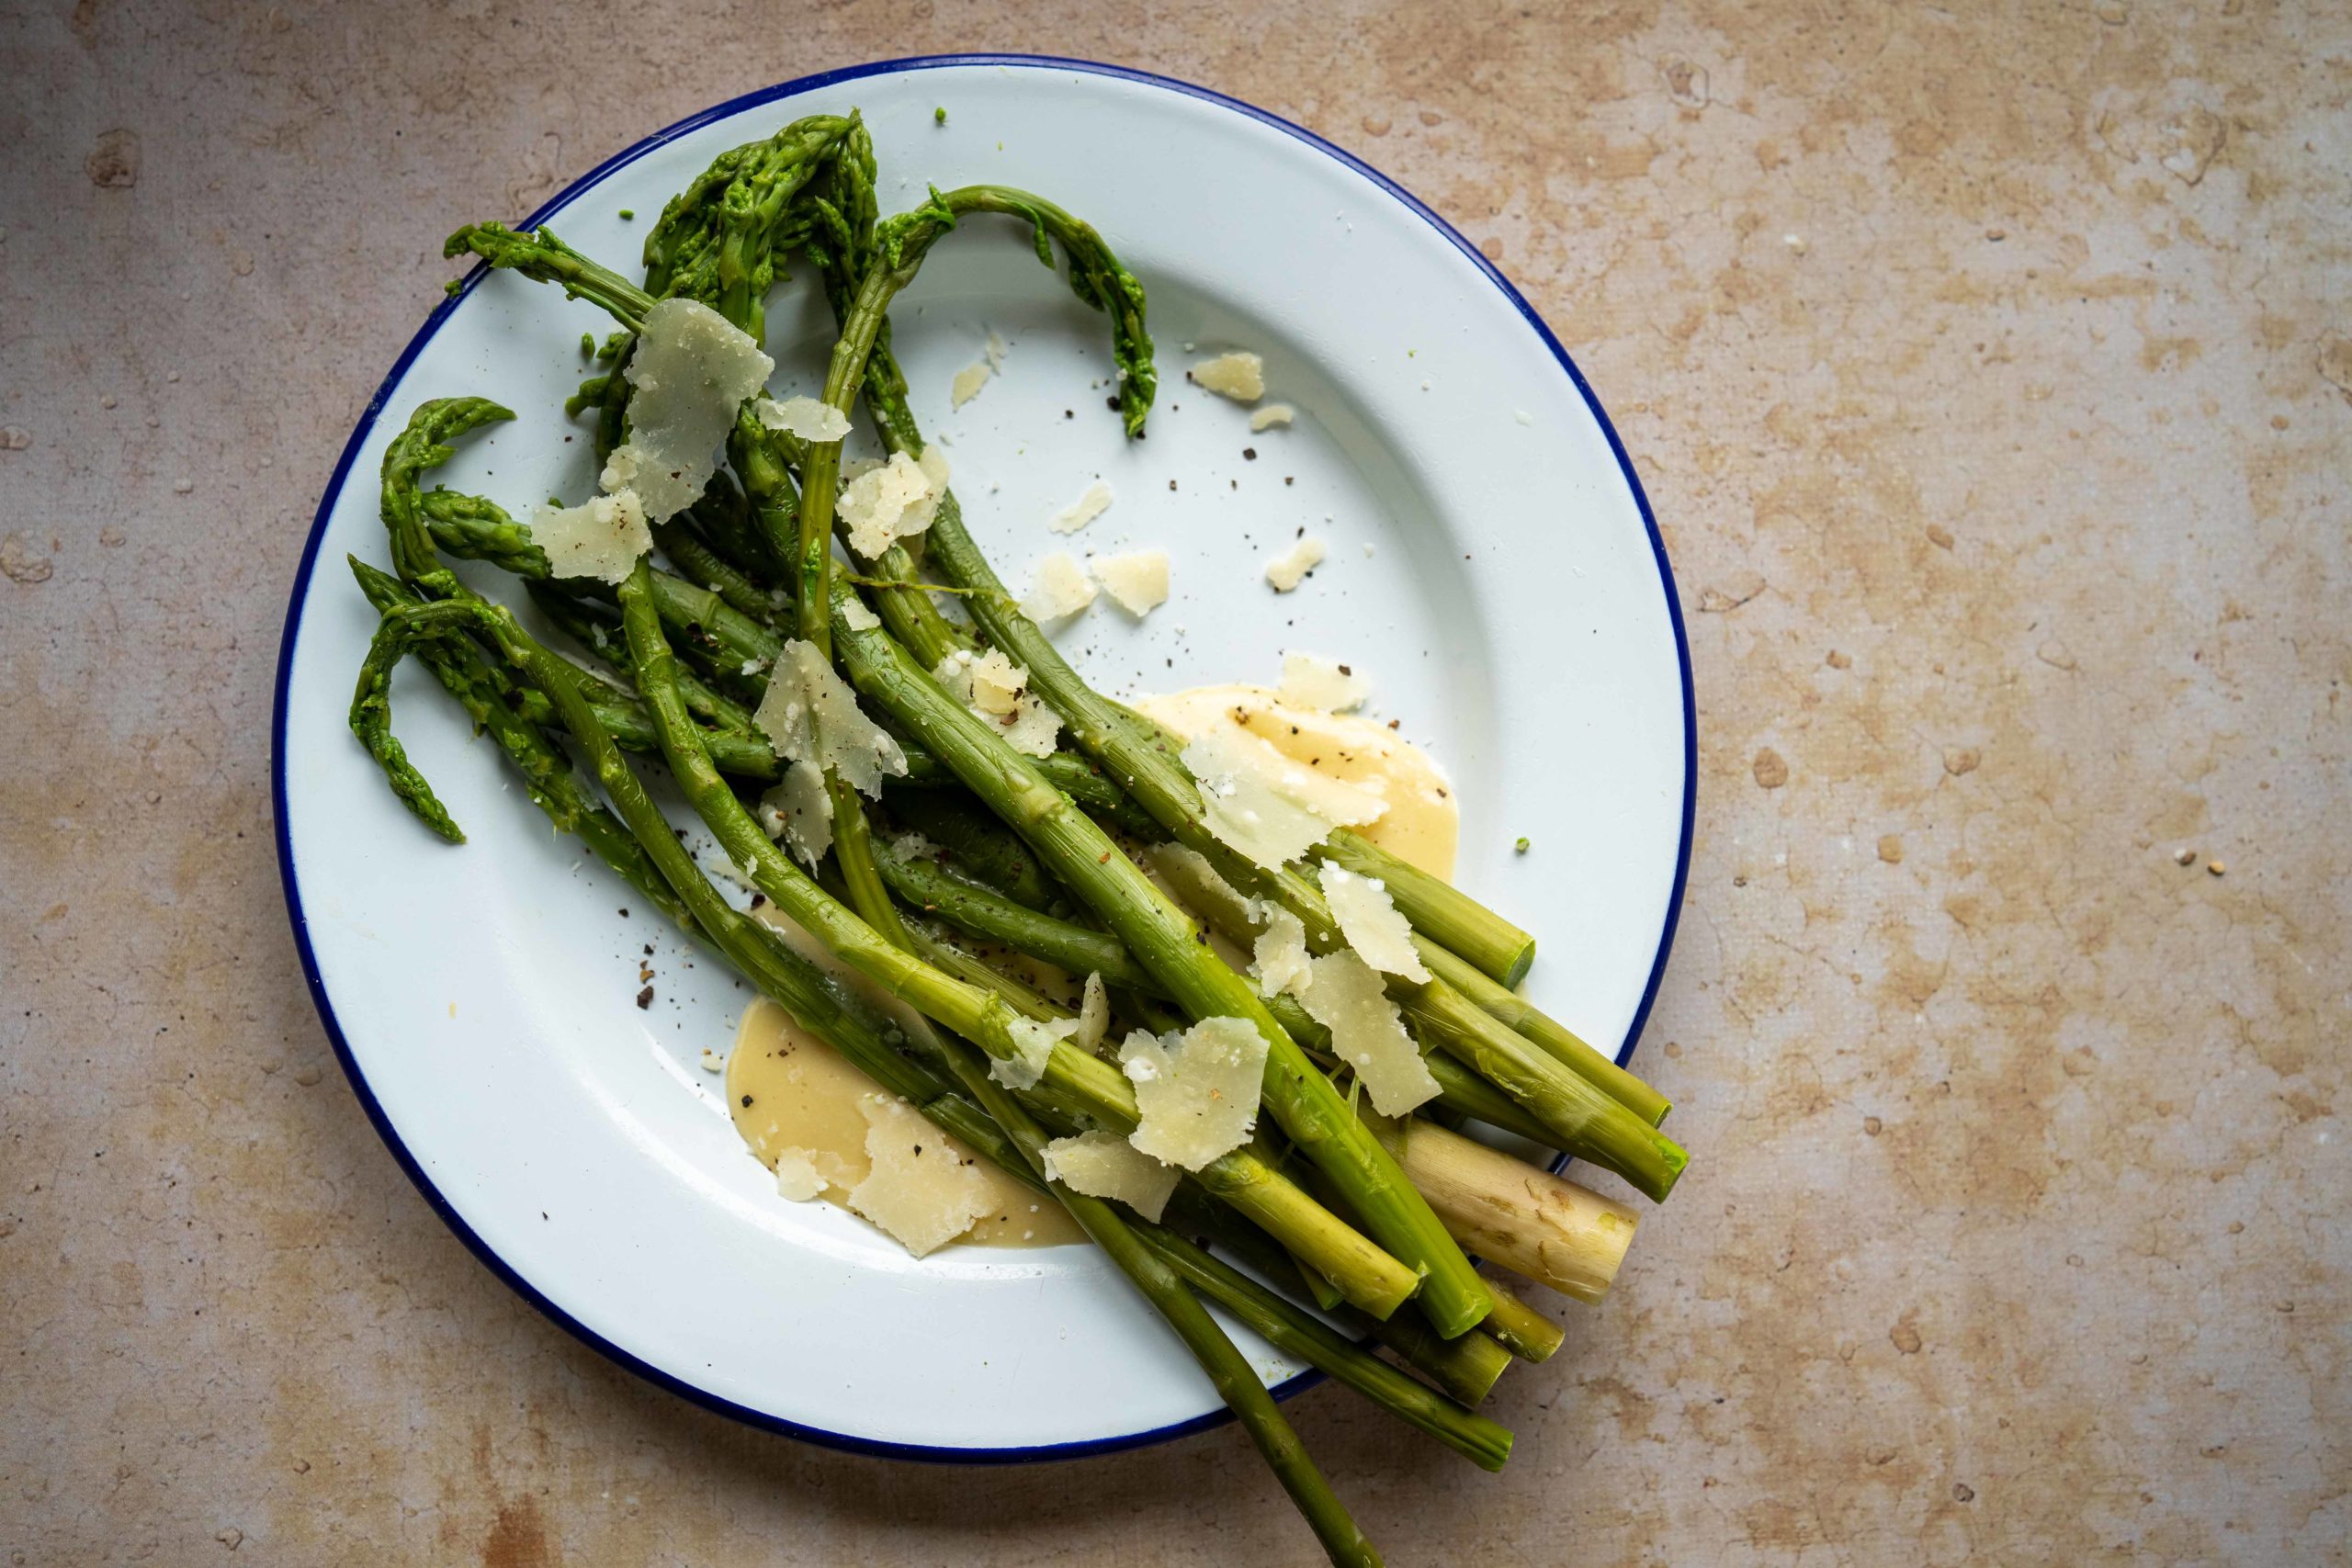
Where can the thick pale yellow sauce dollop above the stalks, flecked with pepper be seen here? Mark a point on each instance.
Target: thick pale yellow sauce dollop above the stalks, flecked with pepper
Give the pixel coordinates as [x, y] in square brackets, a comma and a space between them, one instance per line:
[1422, 824]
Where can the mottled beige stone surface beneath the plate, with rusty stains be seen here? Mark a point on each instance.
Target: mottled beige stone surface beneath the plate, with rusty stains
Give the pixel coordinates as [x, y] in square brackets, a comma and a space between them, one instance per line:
[1991, 370]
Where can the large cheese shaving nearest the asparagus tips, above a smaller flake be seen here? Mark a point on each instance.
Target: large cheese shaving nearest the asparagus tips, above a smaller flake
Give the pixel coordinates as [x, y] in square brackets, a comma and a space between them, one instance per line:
[690, 373]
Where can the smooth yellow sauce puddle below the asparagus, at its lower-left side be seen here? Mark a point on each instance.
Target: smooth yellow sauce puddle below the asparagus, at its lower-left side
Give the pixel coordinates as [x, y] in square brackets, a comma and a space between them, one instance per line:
[789, 1090]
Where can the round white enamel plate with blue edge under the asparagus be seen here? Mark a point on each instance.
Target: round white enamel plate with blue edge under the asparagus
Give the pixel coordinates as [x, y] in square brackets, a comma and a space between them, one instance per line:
[1492, 570]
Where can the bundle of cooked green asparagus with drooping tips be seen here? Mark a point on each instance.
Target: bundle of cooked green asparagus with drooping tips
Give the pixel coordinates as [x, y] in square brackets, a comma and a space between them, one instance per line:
[728, 666]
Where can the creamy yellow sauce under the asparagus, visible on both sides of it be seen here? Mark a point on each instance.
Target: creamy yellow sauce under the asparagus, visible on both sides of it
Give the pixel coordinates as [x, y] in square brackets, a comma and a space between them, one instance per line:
[789, 1090]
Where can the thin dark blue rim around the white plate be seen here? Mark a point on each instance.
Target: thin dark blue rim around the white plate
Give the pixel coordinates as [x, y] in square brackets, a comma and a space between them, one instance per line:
[335, 490]
